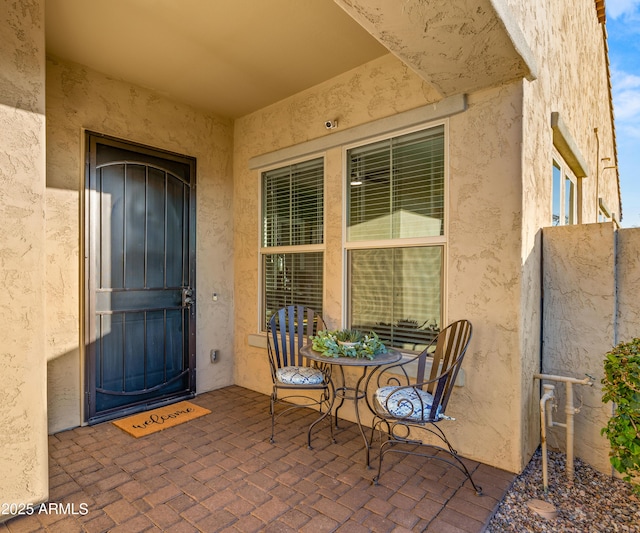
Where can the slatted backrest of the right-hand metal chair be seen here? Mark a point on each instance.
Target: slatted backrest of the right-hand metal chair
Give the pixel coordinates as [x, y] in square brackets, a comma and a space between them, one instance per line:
[447, 350]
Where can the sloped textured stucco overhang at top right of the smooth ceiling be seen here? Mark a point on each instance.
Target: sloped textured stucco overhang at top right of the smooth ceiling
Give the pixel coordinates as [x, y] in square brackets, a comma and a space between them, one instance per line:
[458, 47]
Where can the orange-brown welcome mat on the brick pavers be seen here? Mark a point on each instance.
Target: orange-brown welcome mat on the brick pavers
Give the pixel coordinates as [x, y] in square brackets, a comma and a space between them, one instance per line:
[149, 422]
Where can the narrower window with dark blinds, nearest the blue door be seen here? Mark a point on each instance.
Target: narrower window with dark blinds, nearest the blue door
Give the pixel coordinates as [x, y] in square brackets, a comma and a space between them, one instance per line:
[292, 236]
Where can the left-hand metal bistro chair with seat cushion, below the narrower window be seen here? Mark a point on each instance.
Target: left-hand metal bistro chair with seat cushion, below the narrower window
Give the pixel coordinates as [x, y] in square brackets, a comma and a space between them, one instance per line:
[294, 376]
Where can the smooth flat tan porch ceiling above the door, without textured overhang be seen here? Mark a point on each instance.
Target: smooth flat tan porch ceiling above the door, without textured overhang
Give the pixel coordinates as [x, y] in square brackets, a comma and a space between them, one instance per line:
[230, 57]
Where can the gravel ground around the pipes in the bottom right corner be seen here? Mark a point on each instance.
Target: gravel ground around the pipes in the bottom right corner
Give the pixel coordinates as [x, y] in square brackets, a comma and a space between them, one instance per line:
[594, 503]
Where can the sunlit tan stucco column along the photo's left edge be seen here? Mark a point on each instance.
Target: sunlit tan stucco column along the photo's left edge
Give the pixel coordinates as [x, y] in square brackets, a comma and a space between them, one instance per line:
[23, 409]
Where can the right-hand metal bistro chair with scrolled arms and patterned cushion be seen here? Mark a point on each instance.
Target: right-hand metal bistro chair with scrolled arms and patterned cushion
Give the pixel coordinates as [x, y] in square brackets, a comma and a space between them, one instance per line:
[405, 406]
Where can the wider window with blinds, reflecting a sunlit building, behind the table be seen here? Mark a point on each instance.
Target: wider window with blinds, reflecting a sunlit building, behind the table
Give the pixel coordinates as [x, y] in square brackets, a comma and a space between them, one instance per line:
[396, 237]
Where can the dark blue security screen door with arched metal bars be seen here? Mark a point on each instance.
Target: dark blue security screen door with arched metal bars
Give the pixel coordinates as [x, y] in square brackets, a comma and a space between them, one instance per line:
[139, 277]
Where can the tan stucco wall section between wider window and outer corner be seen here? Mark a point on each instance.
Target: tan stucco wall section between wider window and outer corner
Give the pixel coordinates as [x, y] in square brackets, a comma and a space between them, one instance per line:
[484, 274]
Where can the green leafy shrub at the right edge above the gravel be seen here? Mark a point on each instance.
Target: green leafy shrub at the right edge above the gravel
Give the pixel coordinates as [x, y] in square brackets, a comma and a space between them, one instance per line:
[621, 385]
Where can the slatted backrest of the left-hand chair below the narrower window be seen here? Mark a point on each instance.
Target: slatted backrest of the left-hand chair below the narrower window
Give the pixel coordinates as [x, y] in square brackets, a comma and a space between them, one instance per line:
[289, 329]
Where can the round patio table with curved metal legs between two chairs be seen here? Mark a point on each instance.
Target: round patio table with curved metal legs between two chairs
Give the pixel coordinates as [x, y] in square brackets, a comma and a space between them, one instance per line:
[342, 391]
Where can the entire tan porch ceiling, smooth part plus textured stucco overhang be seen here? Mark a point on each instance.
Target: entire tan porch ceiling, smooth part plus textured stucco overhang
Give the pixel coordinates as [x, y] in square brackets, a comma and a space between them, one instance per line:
[233, 57]
